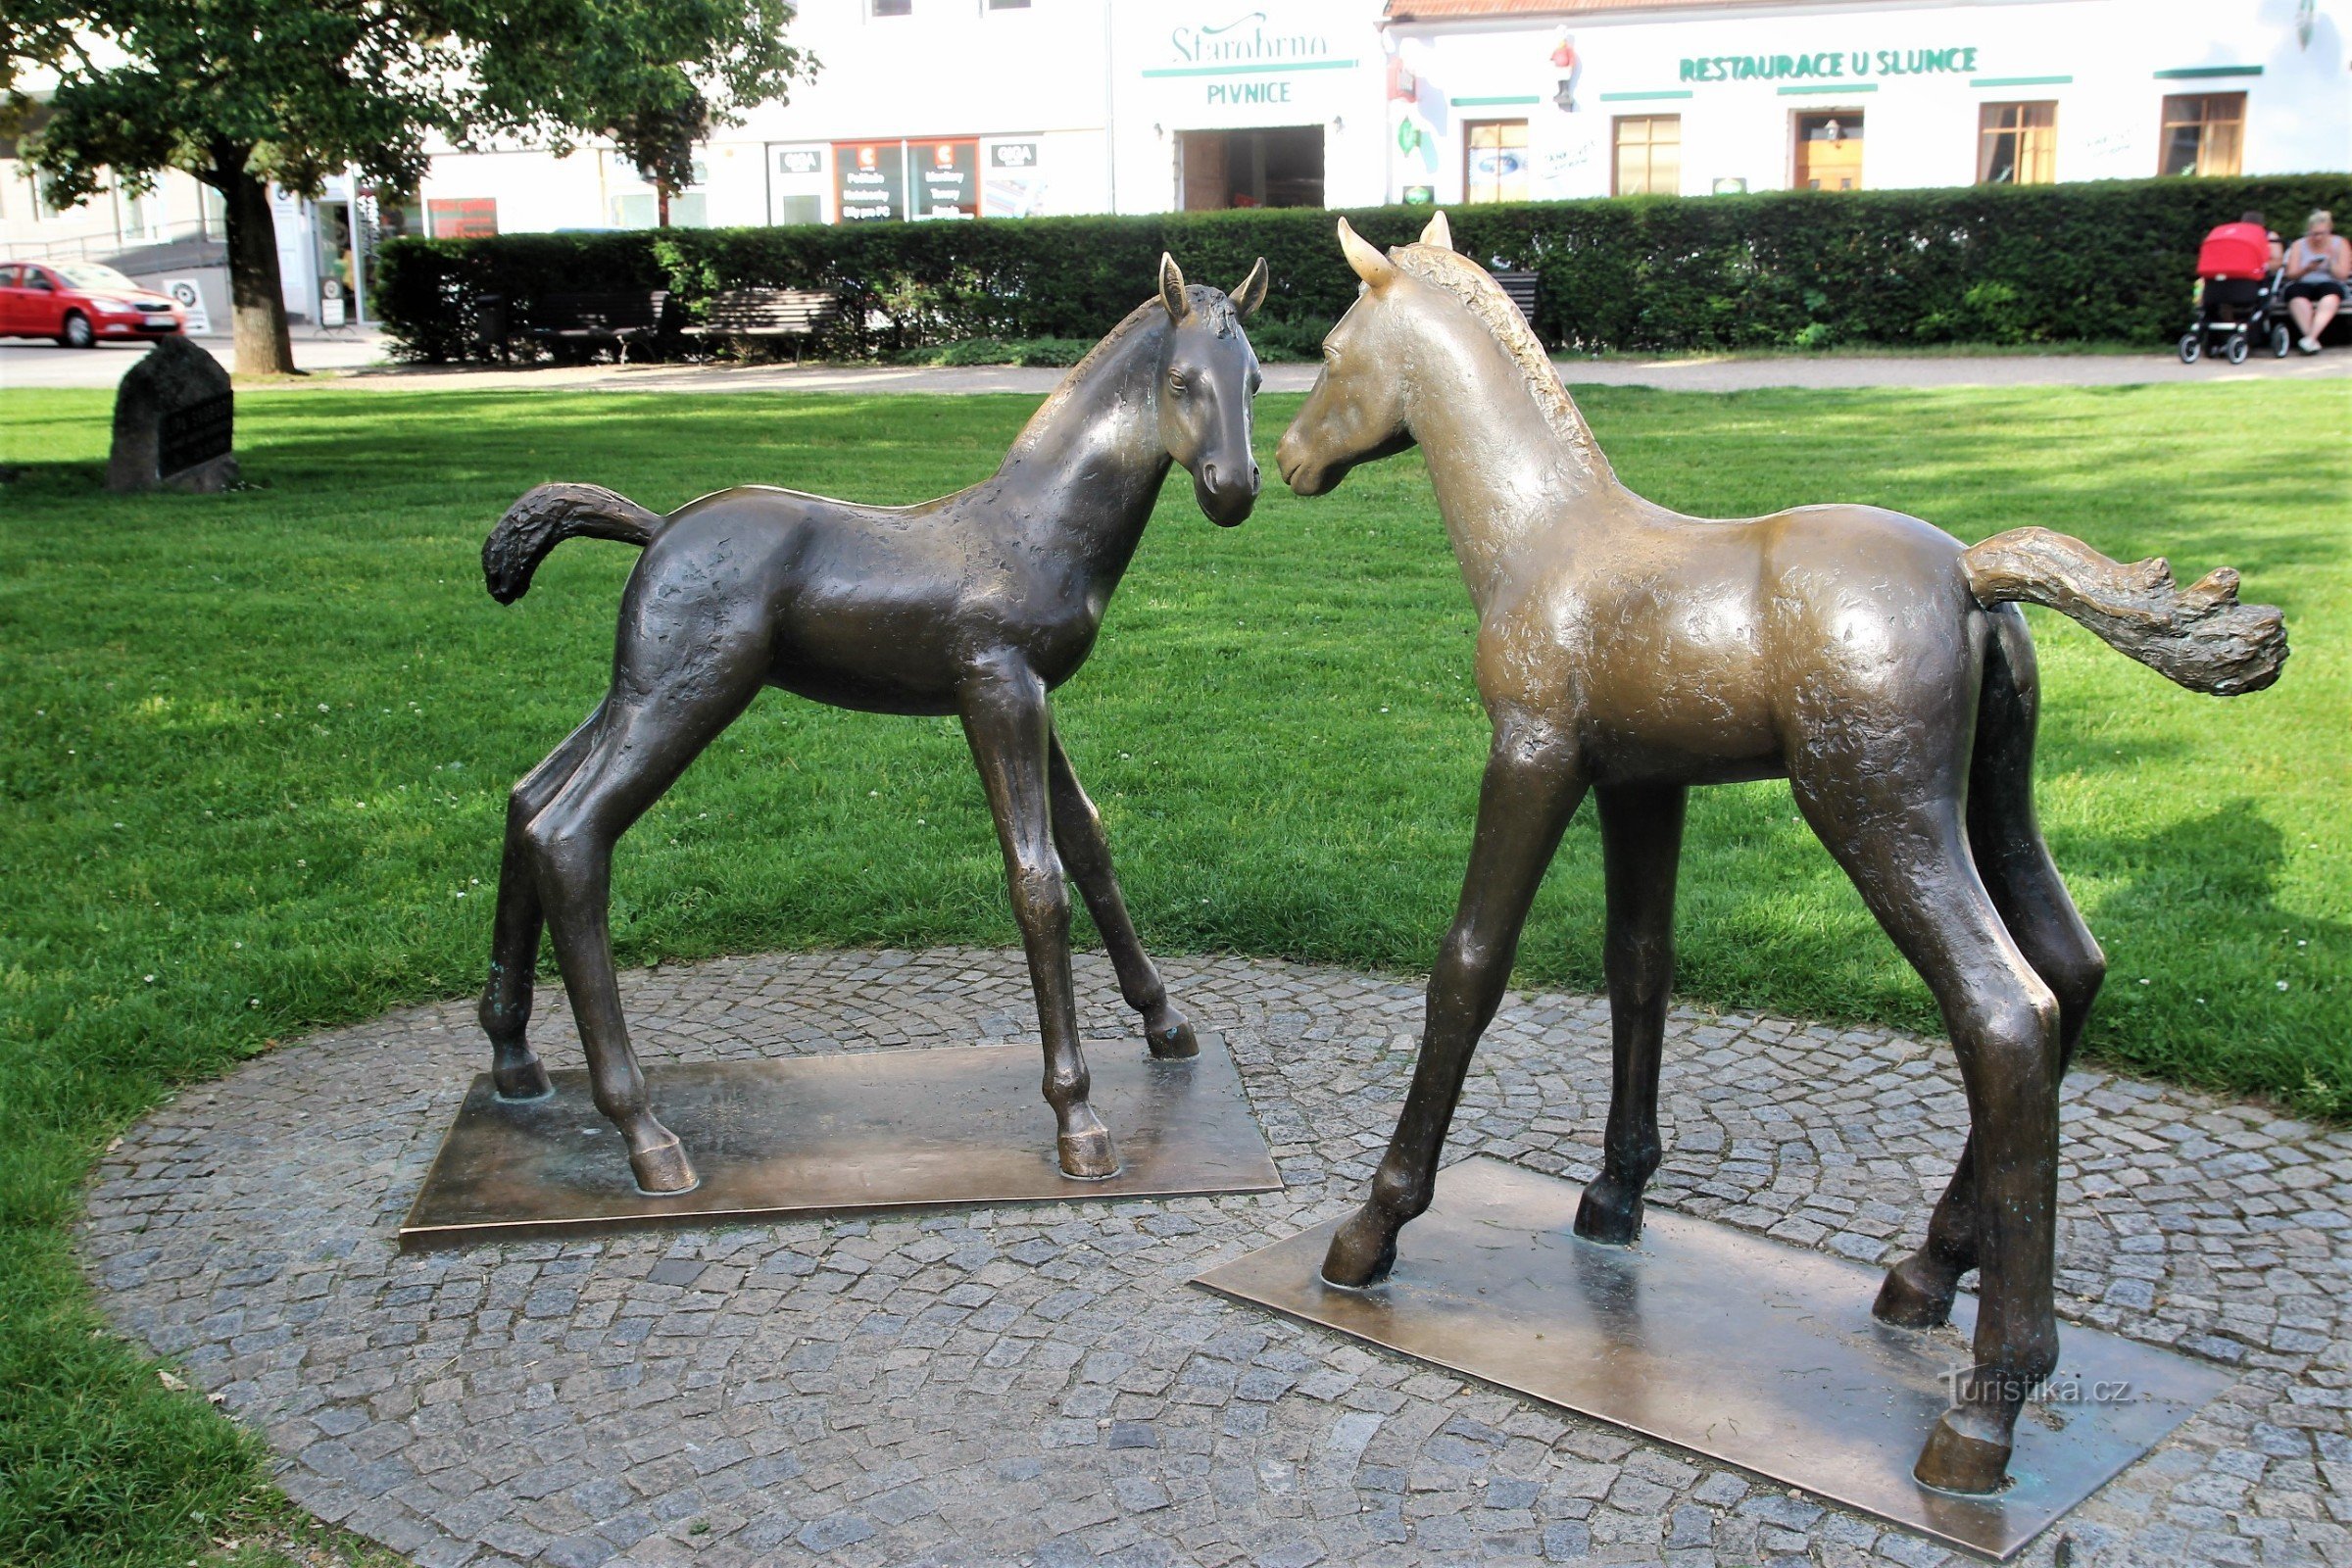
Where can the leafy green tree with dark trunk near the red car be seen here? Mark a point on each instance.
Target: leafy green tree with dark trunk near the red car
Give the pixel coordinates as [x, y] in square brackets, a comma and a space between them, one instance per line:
[255, 93]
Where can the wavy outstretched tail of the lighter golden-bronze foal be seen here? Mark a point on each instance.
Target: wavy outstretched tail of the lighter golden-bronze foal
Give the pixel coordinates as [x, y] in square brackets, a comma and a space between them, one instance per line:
[2198, 636]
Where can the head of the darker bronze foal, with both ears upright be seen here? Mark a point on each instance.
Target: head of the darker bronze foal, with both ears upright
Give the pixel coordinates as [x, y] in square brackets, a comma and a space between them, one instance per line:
[1208, 380]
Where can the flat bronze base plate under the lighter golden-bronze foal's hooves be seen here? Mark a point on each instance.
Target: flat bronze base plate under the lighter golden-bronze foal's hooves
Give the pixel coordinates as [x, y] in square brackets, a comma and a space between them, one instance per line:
[1730, 1346]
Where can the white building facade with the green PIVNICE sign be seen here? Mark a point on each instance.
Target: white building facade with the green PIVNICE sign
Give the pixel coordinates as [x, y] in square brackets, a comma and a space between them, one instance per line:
[982, 109]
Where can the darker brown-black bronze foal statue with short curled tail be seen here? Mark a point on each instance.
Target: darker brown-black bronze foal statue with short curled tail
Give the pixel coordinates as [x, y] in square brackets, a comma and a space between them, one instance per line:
[980, 605]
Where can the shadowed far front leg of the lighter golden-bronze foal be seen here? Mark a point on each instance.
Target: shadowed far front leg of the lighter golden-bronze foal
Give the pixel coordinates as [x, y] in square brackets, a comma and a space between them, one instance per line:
[1641, 857]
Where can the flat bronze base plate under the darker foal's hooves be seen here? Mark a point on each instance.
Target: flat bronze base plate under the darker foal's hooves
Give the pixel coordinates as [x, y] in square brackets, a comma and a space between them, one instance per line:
[836, 1134]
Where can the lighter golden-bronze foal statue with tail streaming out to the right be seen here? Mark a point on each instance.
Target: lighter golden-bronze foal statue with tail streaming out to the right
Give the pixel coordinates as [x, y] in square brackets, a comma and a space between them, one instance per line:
[1862, 655]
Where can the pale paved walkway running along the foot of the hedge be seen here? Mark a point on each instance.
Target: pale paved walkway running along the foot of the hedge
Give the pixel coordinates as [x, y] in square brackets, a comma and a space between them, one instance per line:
[356, 363]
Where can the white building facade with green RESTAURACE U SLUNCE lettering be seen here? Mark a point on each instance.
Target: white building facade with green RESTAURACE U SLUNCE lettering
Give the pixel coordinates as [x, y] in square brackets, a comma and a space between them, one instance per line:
[1697, 98]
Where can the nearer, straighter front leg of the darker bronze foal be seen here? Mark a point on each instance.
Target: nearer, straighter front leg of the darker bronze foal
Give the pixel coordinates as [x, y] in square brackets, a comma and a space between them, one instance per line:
[1013, 737]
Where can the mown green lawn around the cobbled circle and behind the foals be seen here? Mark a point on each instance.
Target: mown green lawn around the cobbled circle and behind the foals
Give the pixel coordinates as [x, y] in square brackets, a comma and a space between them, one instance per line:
[255, 753]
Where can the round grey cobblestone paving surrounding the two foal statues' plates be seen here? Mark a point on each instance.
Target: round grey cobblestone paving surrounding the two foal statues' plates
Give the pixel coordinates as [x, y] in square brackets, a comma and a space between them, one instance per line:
[1038, 1386]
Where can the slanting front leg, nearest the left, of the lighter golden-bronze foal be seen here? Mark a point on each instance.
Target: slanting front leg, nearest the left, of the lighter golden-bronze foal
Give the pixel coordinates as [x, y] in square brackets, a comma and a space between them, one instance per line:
[1528, 798]
